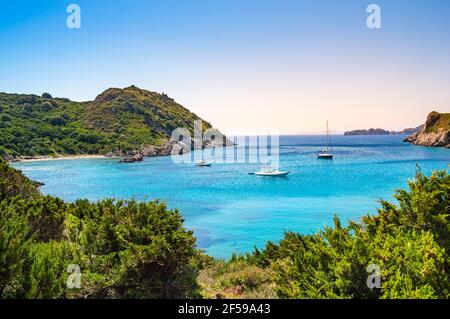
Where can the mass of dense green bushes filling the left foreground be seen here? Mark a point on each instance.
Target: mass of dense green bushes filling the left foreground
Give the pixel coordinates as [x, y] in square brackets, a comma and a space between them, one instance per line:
[125, 249]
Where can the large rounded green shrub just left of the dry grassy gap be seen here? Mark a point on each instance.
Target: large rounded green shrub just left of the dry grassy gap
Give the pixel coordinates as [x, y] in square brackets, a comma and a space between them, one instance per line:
[140, 250]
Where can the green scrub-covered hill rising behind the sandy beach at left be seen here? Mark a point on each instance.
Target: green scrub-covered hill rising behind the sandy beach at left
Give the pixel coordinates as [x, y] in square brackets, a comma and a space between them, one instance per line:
[119, 120]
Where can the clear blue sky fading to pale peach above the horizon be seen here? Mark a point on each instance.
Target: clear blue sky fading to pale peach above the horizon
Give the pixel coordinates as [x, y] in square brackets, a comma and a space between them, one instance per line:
[287, 65]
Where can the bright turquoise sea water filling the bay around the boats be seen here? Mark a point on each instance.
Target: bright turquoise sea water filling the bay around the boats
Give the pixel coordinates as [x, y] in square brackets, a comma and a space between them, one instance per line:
[231, 211]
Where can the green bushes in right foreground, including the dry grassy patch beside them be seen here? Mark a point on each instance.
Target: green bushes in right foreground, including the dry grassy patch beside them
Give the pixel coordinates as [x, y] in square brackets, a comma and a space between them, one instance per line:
[409, 243]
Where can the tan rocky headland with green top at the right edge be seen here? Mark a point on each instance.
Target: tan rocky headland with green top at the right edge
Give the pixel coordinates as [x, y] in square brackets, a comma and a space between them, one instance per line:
[436, 131]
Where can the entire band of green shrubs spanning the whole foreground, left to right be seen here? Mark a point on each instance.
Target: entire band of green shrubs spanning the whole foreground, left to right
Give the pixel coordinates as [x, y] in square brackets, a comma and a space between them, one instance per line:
[128, 249]
